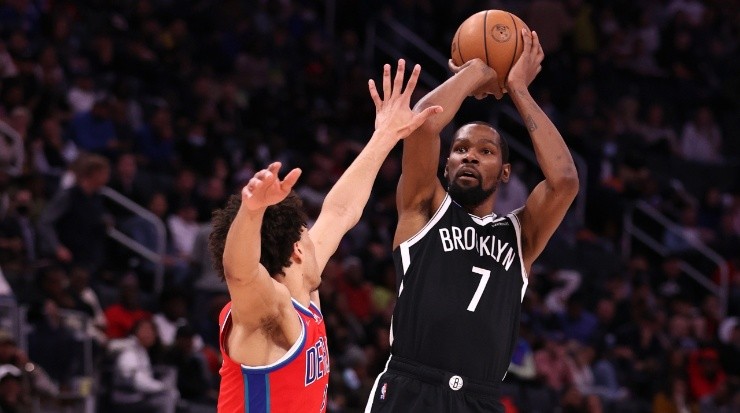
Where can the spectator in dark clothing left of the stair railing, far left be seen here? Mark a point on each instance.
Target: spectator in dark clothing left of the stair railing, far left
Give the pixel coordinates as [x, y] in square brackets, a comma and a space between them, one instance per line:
[72, 227]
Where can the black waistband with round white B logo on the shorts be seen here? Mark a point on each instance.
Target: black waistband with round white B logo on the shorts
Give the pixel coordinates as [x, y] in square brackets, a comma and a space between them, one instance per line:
[431, 375]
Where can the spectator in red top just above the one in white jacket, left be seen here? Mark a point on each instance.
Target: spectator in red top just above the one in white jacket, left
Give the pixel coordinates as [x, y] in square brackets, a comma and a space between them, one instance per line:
[122, 316]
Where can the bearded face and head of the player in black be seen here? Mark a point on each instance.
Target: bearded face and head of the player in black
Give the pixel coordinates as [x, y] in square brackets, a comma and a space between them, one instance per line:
[475, 168]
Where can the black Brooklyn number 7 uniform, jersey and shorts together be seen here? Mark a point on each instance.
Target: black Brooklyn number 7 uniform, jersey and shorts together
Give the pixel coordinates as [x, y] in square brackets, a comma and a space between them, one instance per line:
[456, 320]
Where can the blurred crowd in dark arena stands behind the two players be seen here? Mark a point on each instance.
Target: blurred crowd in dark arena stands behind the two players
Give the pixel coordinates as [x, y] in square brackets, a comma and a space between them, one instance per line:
[175, 104]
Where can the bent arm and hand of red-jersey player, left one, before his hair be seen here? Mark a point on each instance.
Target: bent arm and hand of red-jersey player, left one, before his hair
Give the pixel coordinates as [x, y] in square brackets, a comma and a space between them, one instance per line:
[255, 295]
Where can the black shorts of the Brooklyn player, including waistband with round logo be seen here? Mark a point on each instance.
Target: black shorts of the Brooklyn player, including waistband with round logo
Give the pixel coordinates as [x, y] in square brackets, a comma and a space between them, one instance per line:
[409, 387]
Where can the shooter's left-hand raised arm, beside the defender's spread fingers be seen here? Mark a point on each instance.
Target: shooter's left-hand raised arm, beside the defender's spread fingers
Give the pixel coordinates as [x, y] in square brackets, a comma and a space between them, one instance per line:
[419, 191]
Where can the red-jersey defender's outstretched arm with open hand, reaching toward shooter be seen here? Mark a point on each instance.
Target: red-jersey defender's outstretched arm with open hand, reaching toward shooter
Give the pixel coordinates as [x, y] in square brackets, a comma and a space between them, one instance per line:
[394, 120]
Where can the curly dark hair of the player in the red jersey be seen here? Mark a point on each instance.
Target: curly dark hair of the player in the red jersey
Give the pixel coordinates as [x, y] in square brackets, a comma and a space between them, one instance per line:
[281, 228]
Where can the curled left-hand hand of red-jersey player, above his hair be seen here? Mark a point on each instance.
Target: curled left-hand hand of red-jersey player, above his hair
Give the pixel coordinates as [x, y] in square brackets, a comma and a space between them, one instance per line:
[265, 188]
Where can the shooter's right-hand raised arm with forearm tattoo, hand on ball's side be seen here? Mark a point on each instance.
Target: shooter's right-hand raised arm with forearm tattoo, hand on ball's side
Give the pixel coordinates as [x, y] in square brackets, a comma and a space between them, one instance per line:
[551, 198]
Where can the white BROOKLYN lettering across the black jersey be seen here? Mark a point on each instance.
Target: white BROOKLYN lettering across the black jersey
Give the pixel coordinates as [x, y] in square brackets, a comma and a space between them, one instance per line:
[456, 238]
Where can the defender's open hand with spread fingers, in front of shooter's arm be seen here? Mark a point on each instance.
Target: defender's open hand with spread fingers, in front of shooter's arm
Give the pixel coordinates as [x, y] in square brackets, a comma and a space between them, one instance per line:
[392, 112]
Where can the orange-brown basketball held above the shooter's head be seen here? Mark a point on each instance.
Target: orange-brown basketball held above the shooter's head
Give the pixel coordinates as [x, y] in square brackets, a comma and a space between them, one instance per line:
[493, 36]
